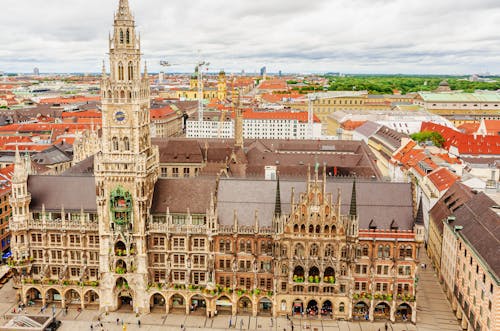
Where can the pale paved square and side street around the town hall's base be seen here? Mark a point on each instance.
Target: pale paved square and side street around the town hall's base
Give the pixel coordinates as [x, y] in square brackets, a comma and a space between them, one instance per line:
[433, 314]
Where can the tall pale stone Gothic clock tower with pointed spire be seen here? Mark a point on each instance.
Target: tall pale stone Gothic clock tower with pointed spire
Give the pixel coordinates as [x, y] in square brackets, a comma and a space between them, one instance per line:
[126, 170]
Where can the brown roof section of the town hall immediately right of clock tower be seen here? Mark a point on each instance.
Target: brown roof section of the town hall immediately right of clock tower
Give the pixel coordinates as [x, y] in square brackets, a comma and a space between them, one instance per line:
[181, 194]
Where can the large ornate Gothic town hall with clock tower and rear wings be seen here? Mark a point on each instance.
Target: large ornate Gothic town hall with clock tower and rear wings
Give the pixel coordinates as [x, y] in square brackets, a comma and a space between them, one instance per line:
[123, 236]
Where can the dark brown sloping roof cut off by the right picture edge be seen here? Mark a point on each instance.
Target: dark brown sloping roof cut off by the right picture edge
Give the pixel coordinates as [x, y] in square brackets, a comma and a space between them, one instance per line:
[481, 228]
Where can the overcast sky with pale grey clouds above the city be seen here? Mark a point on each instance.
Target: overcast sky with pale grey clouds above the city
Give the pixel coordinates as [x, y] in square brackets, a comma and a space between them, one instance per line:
[350, 36]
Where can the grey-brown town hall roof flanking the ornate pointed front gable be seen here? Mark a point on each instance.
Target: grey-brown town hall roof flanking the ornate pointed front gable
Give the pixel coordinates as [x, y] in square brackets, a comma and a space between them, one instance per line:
[381, 202]
